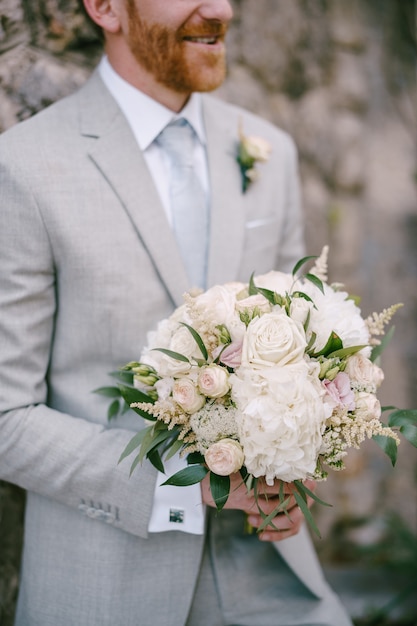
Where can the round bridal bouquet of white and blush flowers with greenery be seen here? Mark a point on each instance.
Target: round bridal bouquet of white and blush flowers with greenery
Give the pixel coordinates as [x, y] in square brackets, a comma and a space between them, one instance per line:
[275, 378]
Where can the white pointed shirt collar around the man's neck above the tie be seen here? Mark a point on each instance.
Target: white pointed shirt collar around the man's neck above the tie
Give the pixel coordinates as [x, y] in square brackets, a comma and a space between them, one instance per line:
[137, 107]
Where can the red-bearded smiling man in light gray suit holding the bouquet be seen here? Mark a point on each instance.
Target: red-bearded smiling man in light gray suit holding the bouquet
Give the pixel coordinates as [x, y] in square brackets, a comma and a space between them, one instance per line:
[90, 261]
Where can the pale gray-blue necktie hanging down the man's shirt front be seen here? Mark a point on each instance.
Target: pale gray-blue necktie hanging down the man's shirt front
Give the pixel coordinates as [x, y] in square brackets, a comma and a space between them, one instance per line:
[189, 207]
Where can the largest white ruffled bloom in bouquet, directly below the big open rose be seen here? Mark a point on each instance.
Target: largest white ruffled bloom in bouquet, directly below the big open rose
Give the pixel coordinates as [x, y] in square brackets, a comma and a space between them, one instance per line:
[280, 418]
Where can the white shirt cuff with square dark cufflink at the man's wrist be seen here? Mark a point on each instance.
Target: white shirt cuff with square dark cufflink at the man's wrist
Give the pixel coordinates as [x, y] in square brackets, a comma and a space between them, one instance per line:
[176, 508]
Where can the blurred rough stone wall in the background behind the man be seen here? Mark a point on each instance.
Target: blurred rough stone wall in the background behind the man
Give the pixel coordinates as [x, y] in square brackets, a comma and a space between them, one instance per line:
[340, 77]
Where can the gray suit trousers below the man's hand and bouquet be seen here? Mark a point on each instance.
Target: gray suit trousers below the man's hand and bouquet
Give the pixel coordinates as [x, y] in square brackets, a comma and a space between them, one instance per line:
[245, 582]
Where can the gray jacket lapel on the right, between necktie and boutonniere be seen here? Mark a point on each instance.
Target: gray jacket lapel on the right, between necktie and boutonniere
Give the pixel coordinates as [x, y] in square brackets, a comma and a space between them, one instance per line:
[227, 211]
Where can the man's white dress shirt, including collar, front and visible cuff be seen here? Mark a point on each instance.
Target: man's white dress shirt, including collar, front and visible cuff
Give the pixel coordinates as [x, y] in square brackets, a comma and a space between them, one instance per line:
[174, 508]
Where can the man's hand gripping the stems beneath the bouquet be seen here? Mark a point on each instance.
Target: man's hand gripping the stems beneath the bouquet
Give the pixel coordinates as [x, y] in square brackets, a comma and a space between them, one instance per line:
[268, 498]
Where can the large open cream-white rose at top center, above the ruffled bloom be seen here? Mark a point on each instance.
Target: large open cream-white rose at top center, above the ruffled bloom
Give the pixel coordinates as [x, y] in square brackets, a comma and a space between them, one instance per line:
[273, 339]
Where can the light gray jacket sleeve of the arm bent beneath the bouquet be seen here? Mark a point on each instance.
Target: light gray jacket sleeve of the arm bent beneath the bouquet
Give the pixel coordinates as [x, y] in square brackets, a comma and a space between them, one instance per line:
[70, 459]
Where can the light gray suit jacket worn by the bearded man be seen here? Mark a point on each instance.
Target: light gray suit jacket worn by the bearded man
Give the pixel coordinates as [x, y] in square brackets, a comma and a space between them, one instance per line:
[88, 264]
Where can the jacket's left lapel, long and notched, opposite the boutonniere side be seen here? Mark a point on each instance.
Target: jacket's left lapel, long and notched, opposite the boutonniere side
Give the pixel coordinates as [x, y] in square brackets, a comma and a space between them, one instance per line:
[116, 154]
